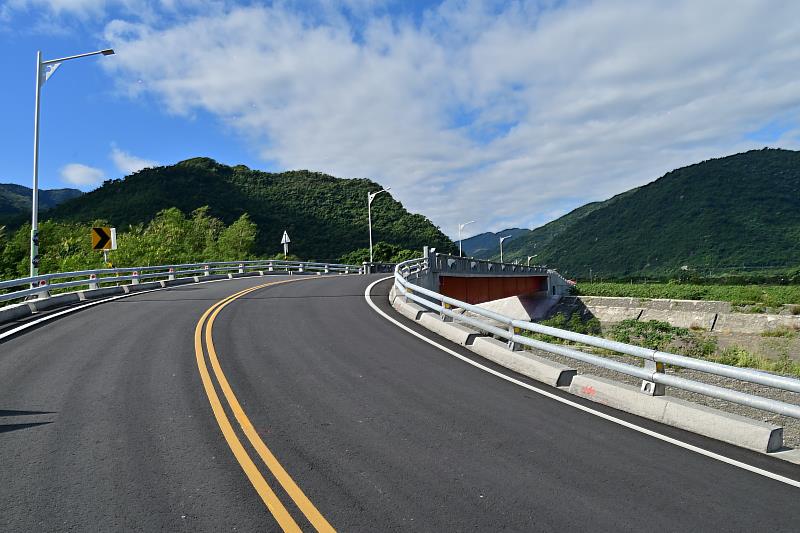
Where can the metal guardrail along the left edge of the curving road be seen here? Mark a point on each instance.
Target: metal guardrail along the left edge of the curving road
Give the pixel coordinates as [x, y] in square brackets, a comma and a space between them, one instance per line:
[40, 286]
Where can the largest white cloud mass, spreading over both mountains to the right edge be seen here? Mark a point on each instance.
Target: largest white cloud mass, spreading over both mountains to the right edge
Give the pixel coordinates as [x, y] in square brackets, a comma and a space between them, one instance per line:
[482, 111]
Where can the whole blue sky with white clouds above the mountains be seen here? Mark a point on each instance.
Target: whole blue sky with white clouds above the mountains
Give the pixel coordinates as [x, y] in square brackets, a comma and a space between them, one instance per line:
[509, 113]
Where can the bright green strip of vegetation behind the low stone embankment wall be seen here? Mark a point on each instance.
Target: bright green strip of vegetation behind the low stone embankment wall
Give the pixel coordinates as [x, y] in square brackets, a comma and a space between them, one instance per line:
[755, 296]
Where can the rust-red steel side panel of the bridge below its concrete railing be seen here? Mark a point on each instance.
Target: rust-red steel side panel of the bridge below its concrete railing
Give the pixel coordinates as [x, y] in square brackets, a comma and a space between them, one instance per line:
[477, 290]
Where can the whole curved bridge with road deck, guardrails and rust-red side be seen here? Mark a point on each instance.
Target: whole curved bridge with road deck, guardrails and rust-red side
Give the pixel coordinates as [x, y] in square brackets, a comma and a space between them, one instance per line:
[300, 396]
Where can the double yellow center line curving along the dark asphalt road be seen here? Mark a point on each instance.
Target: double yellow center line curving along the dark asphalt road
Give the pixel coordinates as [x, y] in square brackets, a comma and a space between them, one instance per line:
[270, 499]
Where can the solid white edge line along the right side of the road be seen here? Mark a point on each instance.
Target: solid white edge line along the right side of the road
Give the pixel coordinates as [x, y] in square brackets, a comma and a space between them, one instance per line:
[640, 429]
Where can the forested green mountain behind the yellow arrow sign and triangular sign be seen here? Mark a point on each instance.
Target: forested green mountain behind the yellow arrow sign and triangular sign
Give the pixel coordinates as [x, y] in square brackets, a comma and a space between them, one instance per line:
[325, 216]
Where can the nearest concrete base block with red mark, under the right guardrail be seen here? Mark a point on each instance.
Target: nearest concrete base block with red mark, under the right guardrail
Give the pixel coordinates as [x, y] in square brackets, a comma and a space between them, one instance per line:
[727, 427]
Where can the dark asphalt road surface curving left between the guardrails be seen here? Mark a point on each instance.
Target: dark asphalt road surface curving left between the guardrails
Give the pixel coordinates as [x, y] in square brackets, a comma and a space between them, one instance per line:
[106, 424]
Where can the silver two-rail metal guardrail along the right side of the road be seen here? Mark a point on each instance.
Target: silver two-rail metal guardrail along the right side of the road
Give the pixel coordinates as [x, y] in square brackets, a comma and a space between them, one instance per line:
[652, 373]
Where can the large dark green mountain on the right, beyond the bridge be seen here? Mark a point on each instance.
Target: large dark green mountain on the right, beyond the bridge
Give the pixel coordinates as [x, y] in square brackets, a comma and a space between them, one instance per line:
[735, 213]
